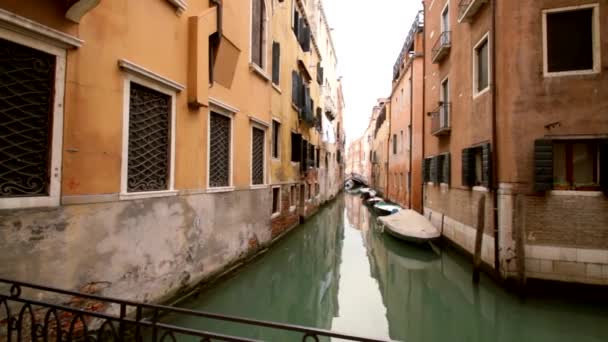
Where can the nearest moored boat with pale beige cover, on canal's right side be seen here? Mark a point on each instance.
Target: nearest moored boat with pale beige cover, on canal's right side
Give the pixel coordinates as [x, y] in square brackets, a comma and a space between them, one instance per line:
[409, 225]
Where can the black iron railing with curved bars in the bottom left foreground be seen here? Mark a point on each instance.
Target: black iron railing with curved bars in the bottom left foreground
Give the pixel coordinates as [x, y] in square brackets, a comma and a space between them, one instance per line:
[89, 317]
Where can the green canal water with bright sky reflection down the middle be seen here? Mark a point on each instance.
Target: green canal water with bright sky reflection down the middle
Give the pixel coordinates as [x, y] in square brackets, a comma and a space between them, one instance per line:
[339, 272]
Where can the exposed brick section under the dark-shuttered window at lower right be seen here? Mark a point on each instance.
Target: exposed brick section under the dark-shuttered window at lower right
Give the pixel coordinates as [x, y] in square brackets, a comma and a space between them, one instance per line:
[568, 221]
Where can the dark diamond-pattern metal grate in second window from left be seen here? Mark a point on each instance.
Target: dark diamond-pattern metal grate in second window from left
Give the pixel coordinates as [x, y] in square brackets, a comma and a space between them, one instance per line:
[148, 166]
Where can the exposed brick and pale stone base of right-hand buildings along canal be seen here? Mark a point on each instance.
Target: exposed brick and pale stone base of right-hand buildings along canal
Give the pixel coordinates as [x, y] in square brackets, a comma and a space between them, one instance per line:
[563, 234]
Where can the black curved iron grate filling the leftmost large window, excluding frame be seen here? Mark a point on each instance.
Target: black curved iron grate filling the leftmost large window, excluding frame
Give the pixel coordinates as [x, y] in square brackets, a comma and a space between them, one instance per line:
[26, 102]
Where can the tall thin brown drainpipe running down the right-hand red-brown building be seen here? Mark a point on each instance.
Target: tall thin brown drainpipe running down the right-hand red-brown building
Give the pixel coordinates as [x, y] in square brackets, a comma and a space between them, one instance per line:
[494, 142]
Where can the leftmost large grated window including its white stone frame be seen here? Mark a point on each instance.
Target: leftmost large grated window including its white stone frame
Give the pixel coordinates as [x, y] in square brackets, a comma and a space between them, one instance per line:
[30, 126]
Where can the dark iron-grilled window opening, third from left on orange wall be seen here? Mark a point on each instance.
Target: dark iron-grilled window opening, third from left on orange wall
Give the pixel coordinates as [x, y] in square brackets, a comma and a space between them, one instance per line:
[219, 150]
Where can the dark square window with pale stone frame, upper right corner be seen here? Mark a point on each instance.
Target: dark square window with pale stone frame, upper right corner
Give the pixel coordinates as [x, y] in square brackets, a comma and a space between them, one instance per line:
[571, 40]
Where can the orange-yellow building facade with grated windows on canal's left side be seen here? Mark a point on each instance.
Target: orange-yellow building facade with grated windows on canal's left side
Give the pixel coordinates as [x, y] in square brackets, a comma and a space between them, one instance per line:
[154, 156]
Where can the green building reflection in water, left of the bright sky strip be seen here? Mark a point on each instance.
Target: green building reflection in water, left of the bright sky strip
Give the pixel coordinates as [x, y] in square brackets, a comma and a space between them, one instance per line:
[297, 283]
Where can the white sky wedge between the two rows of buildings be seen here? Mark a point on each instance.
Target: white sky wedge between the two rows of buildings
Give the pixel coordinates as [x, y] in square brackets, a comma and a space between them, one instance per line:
[368, 36]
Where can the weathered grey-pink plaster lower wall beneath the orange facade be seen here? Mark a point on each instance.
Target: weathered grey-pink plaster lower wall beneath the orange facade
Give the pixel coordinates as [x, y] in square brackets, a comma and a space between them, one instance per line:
[144, 250]
